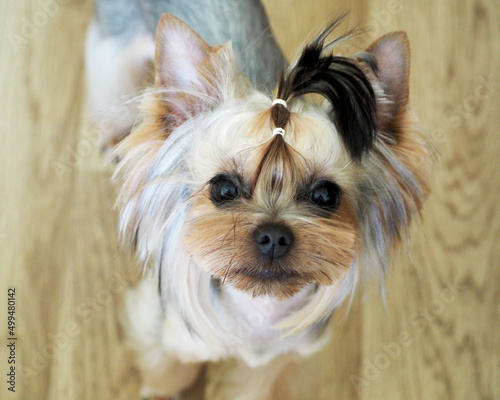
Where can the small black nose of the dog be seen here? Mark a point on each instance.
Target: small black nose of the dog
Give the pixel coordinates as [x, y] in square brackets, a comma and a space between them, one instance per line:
[273, 240]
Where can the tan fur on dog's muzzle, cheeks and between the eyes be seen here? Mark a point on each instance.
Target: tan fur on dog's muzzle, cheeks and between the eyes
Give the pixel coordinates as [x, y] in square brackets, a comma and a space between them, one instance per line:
[222, 239]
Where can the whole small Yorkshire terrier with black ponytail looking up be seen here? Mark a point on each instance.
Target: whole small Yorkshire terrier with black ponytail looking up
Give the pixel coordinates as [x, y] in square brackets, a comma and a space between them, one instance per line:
[257, 214]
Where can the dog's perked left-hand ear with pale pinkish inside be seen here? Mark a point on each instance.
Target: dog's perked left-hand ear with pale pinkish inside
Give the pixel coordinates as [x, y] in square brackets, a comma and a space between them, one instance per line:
[188, 72]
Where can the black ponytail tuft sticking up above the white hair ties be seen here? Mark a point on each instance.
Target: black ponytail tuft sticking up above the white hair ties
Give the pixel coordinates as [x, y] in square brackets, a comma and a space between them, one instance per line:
[340, 81]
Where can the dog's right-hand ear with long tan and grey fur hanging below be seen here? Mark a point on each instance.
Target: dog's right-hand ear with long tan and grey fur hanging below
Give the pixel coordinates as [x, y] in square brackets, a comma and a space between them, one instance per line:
[394, 179]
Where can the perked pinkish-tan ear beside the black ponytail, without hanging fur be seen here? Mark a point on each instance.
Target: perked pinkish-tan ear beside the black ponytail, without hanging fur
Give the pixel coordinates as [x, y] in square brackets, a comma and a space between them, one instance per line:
[391, 56]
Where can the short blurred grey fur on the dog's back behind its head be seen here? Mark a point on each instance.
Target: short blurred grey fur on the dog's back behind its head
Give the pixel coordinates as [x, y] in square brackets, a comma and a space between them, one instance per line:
[244, 22]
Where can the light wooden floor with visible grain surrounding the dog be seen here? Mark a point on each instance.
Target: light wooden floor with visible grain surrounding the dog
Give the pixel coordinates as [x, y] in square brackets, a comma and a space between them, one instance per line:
[440, 335]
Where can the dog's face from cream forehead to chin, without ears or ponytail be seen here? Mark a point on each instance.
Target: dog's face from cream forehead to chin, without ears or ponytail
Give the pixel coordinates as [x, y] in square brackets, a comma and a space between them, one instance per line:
[271, 215]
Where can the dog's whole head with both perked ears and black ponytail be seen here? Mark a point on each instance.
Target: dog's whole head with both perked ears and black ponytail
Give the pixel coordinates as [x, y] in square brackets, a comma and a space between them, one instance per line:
[269, 213]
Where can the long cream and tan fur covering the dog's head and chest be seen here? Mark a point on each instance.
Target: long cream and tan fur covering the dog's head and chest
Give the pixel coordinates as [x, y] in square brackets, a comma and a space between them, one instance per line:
[203, 119]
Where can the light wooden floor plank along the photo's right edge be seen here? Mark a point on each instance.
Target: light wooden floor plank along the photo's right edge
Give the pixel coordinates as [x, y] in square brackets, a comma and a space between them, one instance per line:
[446, 303]
